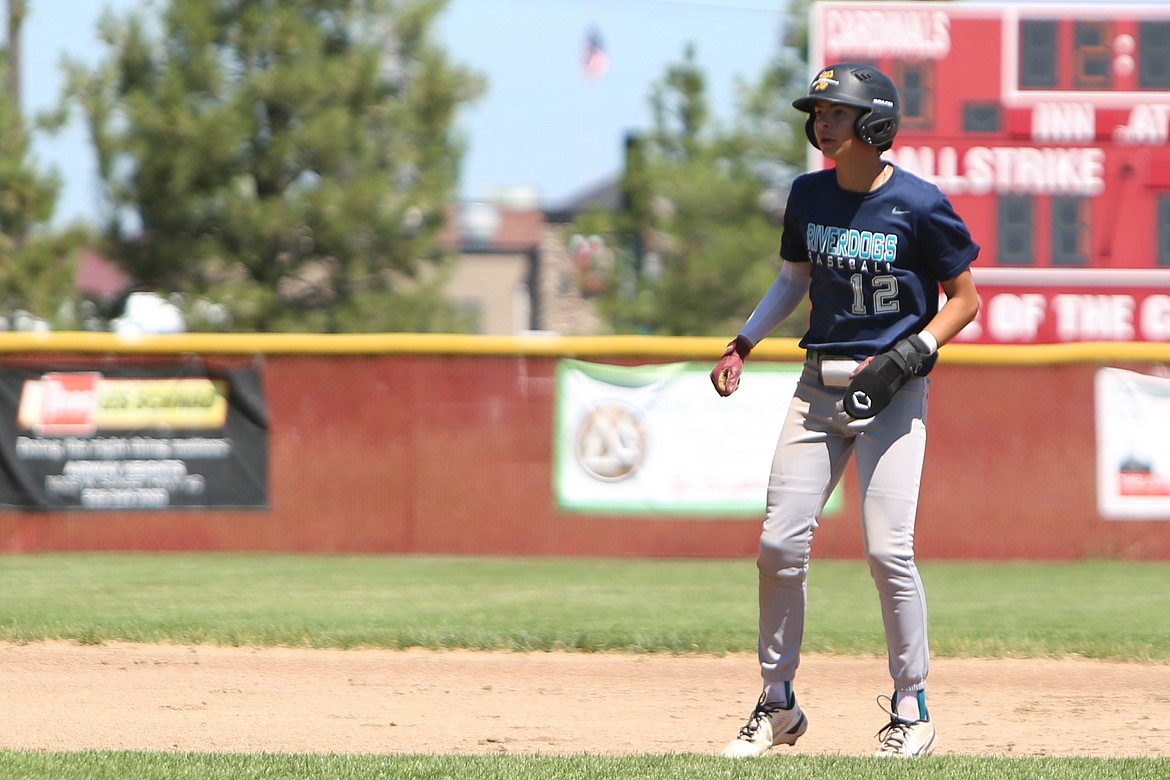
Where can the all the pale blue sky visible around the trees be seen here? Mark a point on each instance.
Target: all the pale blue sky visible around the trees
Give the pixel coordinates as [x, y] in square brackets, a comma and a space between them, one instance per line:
[542, 126]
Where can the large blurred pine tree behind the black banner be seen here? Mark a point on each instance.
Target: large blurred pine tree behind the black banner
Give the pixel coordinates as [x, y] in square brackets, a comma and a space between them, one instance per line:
[291, 160]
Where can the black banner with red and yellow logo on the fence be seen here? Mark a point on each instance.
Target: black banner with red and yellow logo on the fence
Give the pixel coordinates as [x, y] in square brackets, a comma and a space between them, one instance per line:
[112, 437]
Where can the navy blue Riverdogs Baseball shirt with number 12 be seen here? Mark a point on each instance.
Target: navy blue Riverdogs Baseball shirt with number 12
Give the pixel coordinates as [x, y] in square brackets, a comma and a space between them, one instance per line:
[877, 259]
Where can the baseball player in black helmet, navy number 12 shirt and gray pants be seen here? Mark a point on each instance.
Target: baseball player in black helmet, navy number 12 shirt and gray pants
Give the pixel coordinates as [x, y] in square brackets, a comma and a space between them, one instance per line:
[870, 245]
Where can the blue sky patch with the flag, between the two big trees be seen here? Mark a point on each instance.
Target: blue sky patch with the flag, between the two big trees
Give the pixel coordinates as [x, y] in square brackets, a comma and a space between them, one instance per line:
[546, 123]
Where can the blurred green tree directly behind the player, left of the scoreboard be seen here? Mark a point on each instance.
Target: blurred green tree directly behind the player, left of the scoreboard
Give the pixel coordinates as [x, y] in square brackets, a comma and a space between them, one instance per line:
[698, 237]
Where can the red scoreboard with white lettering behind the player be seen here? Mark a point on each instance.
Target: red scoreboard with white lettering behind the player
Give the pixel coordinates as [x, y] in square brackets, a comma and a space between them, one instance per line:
[1048, 127]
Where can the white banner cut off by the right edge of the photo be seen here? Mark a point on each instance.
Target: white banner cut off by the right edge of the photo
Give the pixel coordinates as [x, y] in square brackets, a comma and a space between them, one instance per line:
[1133, 431]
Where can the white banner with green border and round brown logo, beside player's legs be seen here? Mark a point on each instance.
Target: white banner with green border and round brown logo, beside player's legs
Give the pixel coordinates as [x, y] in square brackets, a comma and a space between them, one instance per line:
[659, 440]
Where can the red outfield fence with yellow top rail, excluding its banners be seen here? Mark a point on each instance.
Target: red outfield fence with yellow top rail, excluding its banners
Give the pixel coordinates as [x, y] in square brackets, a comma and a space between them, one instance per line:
[404, 444]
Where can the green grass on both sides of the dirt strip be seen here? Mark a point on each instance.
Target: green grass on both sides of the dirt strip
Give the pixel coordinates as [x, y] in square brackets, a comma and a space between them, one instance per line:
[1099, 610]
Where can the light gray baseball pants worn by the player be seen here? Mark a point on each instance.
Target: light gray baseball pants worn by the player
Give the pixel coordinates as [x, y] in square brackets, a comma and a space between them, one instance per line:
[815, 446]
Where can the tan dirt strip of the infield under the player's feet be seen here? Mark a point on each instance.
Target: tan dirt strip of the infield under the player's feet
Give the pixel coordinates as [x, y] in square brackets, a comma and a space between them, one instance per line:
[65, 698]
